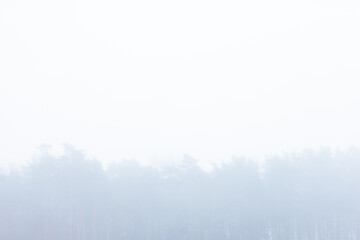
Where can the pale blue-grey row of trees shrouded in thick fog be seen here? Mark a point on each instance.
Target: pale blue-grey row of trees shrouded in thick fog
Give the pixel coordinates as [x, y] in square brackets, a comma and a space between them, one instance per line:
[311, 195]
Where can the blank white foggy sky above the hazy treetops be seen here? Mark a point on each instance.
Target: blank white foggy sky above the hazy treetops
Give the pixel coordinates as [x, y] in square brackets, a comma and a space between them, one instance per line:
[156, 79]
